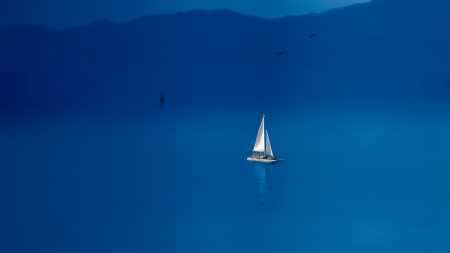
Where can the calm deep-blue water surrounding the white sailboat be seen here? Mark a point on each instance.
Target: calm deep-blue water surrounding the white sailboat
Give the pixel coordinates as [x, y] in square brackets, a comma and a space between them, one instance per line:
[365, 170]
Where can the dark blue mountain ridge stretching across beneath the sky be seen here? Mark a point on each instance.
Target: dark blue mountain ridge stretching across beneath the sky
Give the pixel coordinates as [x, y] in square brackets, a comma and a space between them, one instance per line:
[381, 35]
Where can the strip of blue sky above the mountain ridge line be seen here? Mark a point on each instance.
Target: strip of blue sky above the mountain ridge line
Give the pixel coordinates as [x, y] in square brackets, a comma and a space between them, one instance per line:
[60, 14]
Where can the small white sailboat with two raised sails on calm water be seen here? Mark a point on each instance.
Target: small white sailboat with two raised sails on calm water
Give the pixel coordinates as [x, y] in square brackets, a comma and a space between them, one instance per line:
[262, 151]
